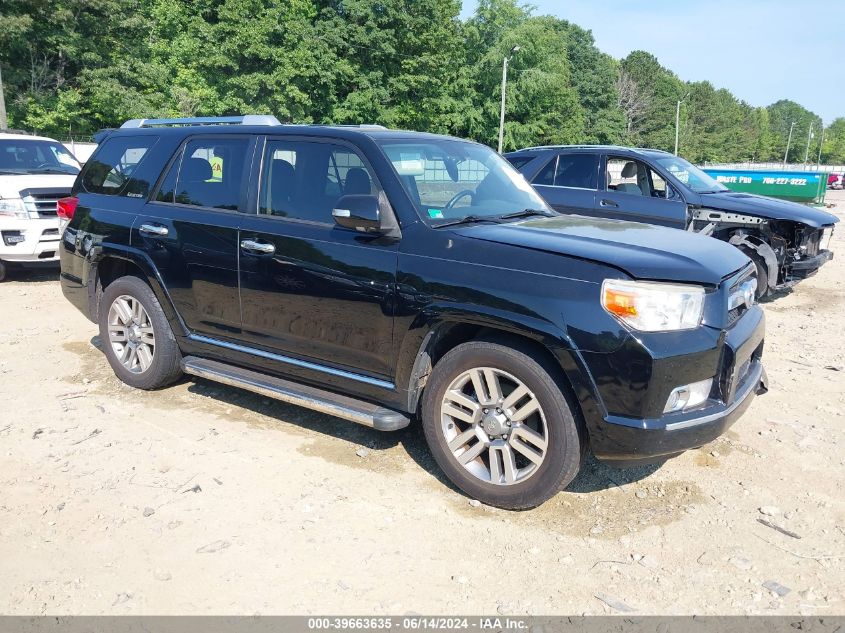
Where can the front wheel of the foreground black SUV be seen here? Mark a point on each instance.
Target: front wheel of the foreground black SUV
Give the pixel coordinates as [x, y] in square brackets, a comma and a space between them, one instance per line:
[526, 483]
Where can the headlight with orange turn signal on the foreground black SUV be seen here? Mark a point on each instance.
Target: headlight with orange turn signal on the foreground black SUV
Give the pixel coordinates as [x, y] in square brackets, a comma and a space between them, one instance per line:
[653, 306]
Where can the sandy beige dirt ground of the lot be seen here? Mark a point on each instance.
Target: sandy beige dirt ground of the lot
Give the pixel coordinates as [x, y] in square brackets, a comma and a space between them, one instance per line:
[203, 499]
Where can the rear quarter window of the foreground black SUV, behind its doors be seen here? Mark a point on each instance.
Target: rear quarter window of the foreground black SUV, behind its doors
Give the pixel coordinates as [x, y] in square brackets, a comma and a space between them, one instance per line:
[112, 168]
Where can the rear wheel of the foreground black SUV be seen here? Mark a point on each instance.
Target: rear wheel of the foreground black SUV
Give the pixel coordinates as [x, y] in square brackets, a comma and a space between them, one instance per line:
[156, 361]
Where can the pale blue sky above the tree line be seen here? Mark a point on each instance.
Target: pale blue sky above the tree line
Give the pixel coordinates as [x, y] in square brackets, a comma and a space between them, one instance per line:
[760, 50]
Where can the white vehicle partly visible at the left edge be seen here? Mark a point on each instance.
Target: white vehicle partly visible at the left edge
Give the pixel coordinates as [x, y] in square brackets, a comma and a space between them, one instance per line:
[35, 172]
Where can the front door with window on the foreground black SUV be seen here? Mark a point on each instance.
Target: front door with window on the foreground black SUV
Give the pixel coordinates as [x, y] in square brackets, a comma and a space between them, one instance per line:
[309, 288]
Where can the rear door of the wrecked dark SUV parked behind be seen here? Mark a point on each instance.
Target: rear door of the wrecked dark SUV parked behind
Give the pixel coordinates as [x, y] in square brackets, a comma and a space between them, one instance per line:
[569, 182]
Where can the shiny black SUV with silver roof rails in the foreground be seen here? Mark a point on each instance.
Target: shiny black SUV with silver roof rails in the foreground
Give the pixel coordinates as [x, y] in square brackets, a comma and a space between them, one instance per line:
[380, 276]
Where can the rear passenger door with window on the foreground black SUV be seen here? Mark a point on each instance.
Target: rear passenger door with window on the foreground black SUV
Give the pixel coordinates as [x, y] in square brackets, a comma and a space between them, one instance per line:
[190, 231]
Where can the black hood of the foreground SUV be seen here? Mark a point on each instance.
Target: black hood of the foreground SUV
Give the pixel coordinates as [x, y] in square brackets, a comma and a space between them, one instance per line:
[644, 251]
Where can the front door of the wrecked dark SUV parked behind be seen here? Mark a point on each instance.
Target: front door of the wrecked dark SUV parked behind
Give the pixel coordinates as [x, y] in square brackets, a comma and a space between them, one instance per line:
[632, 190]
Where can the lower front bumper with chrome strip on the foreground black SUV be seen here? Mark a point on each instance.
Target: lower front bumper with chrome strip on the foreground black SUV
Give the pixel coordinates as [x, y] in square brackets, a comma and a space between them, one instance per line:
[626, 441]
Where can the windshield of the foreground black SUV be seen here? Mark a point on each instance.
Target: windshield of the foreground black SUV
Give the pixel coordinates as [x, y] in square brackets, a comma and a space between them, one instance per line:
[451, 179]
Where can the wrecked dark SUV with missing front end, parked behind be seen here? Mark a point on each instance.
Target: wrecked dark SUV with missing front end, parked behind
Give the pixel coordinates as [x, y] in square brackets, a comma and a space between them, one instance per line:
[785, 240]
